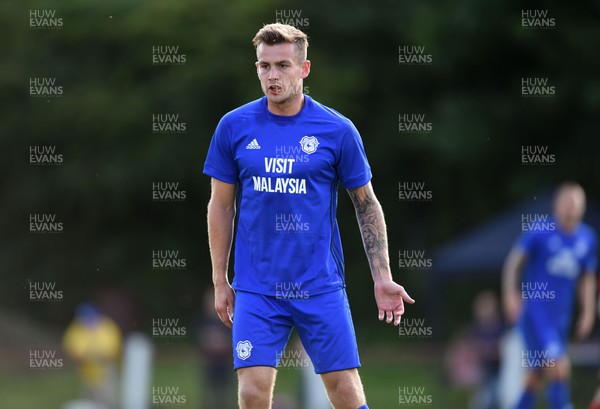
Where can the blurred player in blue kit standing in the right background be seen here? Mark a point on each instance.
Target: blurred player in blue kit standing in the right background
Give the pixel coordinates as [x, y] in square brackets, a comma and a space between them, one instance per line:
[545, 272]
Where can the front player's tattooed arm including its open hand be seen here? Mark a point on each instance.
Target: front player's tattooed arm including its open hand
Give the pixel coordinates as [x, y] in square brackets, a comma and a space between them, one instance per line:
[389, 295]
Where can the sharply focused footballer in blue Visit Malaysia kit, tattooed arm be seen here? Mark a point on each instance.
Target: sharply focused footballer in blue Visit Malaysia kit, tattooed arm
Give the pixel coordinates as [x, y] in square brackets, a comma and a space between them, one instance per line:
[275, 166]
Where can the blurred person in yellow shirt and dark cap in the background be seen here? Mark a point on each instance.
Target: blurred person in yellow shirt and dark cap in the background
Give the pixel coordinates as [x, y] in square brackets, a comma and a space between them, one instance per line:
[93, 341]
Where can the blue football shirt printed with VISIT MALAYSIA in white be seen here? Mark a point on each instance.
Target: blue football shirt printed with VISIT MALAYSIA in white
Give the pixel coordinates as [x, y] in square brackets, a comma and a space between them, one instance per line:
[287, 170]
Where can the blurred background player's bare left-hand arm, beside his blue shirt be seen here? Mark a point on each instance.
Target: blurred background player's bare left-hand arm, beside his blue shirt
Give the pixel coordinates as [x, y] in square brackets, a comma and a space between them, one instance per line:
[511, 277]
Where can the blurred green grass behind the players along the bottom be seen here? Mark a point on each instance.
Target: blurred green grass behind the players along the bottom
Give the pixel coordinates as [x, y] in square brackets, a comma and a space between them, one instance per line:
[383, 372]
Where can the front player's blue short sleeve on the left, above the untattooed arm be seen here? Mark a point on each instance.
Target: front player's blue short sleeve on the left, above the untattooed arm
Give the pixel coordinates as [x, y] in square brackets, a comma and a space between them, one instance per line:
[220, 162]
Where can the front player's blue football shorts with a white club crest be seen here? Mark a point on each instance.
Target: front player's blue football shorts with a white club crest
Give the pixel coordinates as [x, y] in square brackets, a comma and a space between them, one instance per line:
[262, 326]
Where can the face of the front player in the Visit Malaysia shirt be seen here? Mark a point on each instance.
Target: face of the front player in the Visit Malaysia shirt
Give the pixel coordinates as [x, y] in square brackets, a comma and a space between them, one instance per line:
[281, 72]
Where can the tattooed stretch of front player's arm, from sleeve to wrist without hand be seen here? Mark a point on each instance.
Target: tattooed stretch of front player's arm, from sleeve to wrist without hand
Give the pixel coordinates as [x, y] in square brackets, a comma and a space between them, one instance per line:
[372, 228]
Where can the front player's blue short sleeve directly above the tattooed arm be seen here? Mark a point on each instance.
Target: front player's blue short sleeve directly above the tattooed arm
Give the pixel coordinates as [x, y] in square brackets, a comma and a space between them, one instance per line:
[353, 167]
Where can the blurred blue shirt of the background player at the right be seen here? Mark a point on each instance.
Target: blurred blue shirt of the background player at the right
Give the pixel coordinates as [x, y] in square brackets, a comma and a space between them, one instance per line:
[555, 261]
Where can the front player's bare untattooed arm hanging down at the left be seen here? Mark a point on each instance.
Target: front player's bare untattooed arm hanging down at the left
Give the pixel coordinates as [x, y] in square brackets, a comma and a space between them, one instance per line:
[221, 214]
